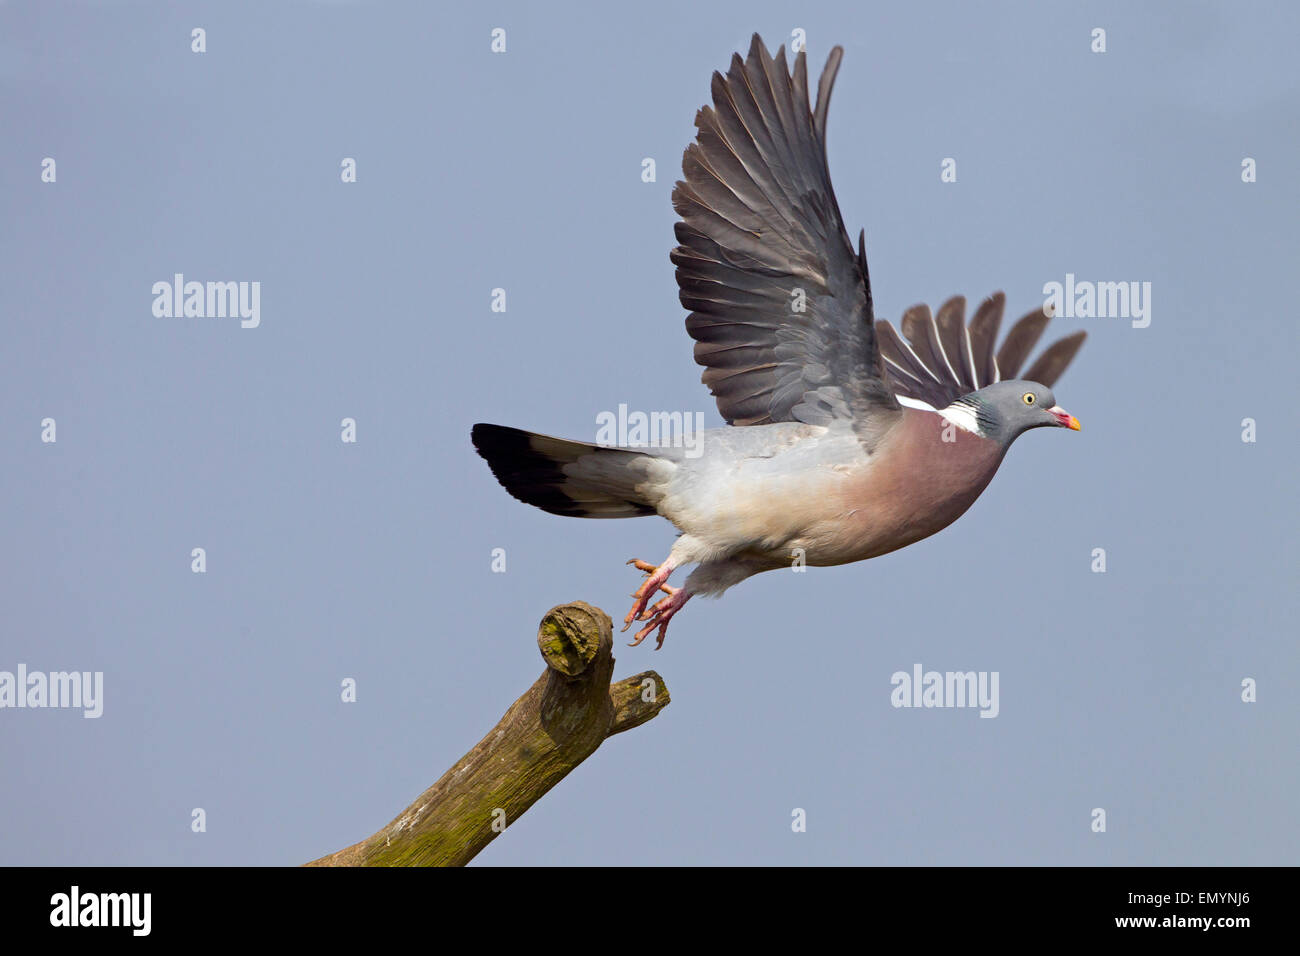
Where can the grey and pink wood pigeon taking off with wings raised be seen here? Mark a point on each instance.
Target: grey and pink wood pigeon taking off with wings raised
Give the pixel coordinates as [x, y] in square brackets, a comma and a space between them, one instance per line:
[846, 439]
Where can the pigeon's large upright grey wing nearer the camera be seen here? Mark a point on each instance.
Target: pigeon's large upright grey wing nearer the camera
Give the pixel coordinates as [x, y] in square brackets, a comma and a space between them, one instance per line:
[781, 304]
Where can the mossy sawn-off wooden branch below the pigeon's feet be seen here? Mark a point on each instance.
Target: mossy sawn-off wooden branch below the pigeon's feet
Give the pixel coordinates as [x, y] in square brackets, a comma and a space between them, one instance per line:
[558, 724]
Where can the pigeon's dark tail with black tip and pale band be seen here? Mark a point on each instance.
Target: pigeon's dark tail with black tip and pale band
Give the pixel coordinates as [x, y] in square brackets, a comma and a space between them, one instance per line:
[573, 478]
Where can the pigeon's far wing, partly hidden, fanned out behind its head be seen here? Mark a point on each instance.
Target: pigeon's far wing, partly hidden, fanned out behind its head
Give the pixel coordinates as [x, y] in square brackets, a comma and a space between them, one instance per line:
[939, 358]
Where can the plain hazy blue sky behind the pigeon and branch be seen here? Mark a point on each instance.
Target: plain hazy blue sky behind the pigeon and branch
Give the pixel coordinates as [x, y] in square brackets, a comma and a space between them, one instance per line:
[523, 171]
